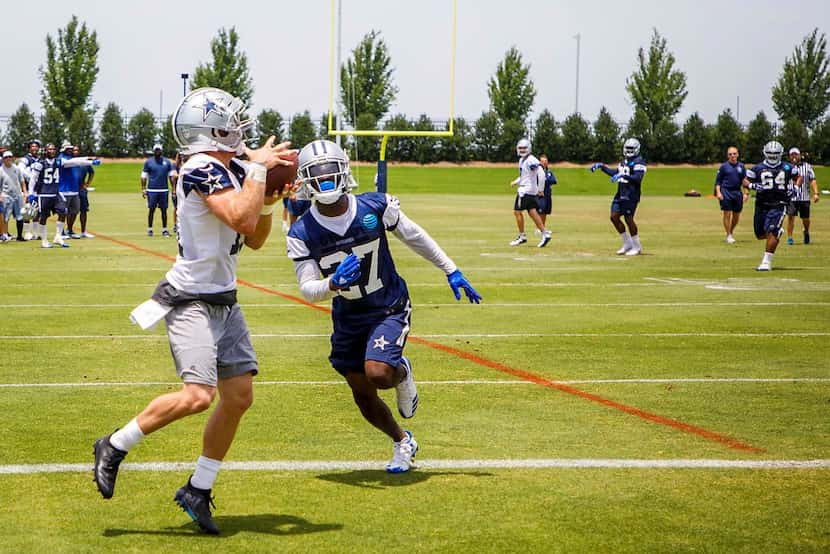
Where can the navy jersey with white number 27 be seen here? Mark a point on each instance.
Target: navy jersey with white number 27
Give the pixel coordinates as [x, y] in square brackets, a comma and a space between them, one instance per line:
[380, 288]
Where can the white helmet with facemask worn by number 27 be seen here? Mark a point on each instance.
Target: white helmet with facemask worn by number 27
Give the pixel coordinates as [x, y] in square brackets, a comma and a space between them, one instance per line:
[323, 168]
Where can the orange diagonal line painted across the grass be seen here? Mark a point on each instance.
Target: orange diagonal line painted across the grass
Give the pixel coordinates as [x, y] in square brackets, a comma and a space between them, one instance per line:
[521, 374]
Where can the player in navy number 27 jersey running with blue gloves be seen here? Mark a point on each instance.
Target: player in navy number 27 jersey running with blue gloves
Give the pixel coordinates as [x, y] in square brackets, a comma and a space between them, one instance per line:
[340, 251]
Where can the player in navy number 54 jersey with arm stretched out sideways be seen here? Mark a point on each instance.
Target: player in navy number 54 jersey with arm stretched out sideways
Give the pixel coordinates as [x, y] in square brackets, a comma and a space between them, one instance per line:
[45, 184]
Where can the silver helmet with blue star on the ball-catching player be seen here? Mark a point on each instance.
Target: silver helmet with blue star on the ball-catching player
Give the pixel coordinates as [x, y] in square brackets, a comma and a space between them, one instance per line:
[210, 119]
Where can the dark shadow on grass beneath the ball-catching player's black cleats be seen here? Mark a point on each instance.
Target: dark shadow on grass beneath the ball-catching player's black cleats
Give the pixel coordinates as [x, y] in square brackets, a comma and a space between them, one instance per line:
[268, 524]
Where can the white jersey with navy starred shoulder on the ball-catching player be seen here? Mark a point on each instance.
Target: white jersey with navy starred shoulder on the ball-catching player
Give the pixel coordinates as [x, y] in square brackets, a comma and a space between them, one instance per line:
[208, 248]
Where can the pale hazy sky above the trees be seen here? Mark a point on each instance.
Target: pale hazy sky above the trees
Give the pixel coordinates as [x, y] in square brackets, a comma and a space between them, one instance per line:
[727, 50]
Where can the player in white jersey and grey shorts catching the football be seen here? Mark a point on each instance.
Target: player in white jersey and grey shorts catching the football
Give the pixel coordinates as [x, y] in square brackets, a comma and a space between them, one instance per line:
[222, 206]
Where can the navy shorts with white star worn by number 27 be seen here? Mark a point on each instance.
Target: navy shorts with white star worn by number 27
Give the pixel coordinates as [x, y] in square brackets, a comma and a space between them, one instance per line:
[359, 338]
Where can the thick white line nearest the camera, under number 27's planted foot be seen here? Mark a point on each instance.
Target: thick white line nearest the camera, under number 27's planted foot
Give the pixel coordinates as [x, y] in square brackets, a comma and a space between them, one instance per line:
[543, 463]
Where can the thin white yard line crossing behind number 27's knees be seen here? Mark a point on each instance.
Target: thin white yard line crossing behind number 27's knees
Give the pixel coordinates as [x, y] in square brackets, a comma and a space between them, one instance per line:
[440, 383]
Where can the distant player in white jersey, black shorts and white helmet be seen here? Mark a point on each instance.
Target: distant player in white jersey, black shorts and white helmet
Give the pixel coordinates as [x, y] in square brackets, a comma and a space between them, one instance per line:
[531, 183]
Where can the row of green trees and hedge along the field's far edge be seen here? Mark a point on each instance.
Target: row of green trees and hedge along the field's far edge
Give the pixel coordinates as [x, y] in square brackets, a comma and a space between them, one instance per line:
[656, 88]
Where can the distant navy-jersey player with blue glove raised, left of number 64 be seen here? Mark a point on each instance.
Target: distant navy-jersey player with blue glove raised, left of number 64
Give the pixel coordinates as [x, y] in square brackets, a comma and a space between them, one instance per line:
[629, 176]
